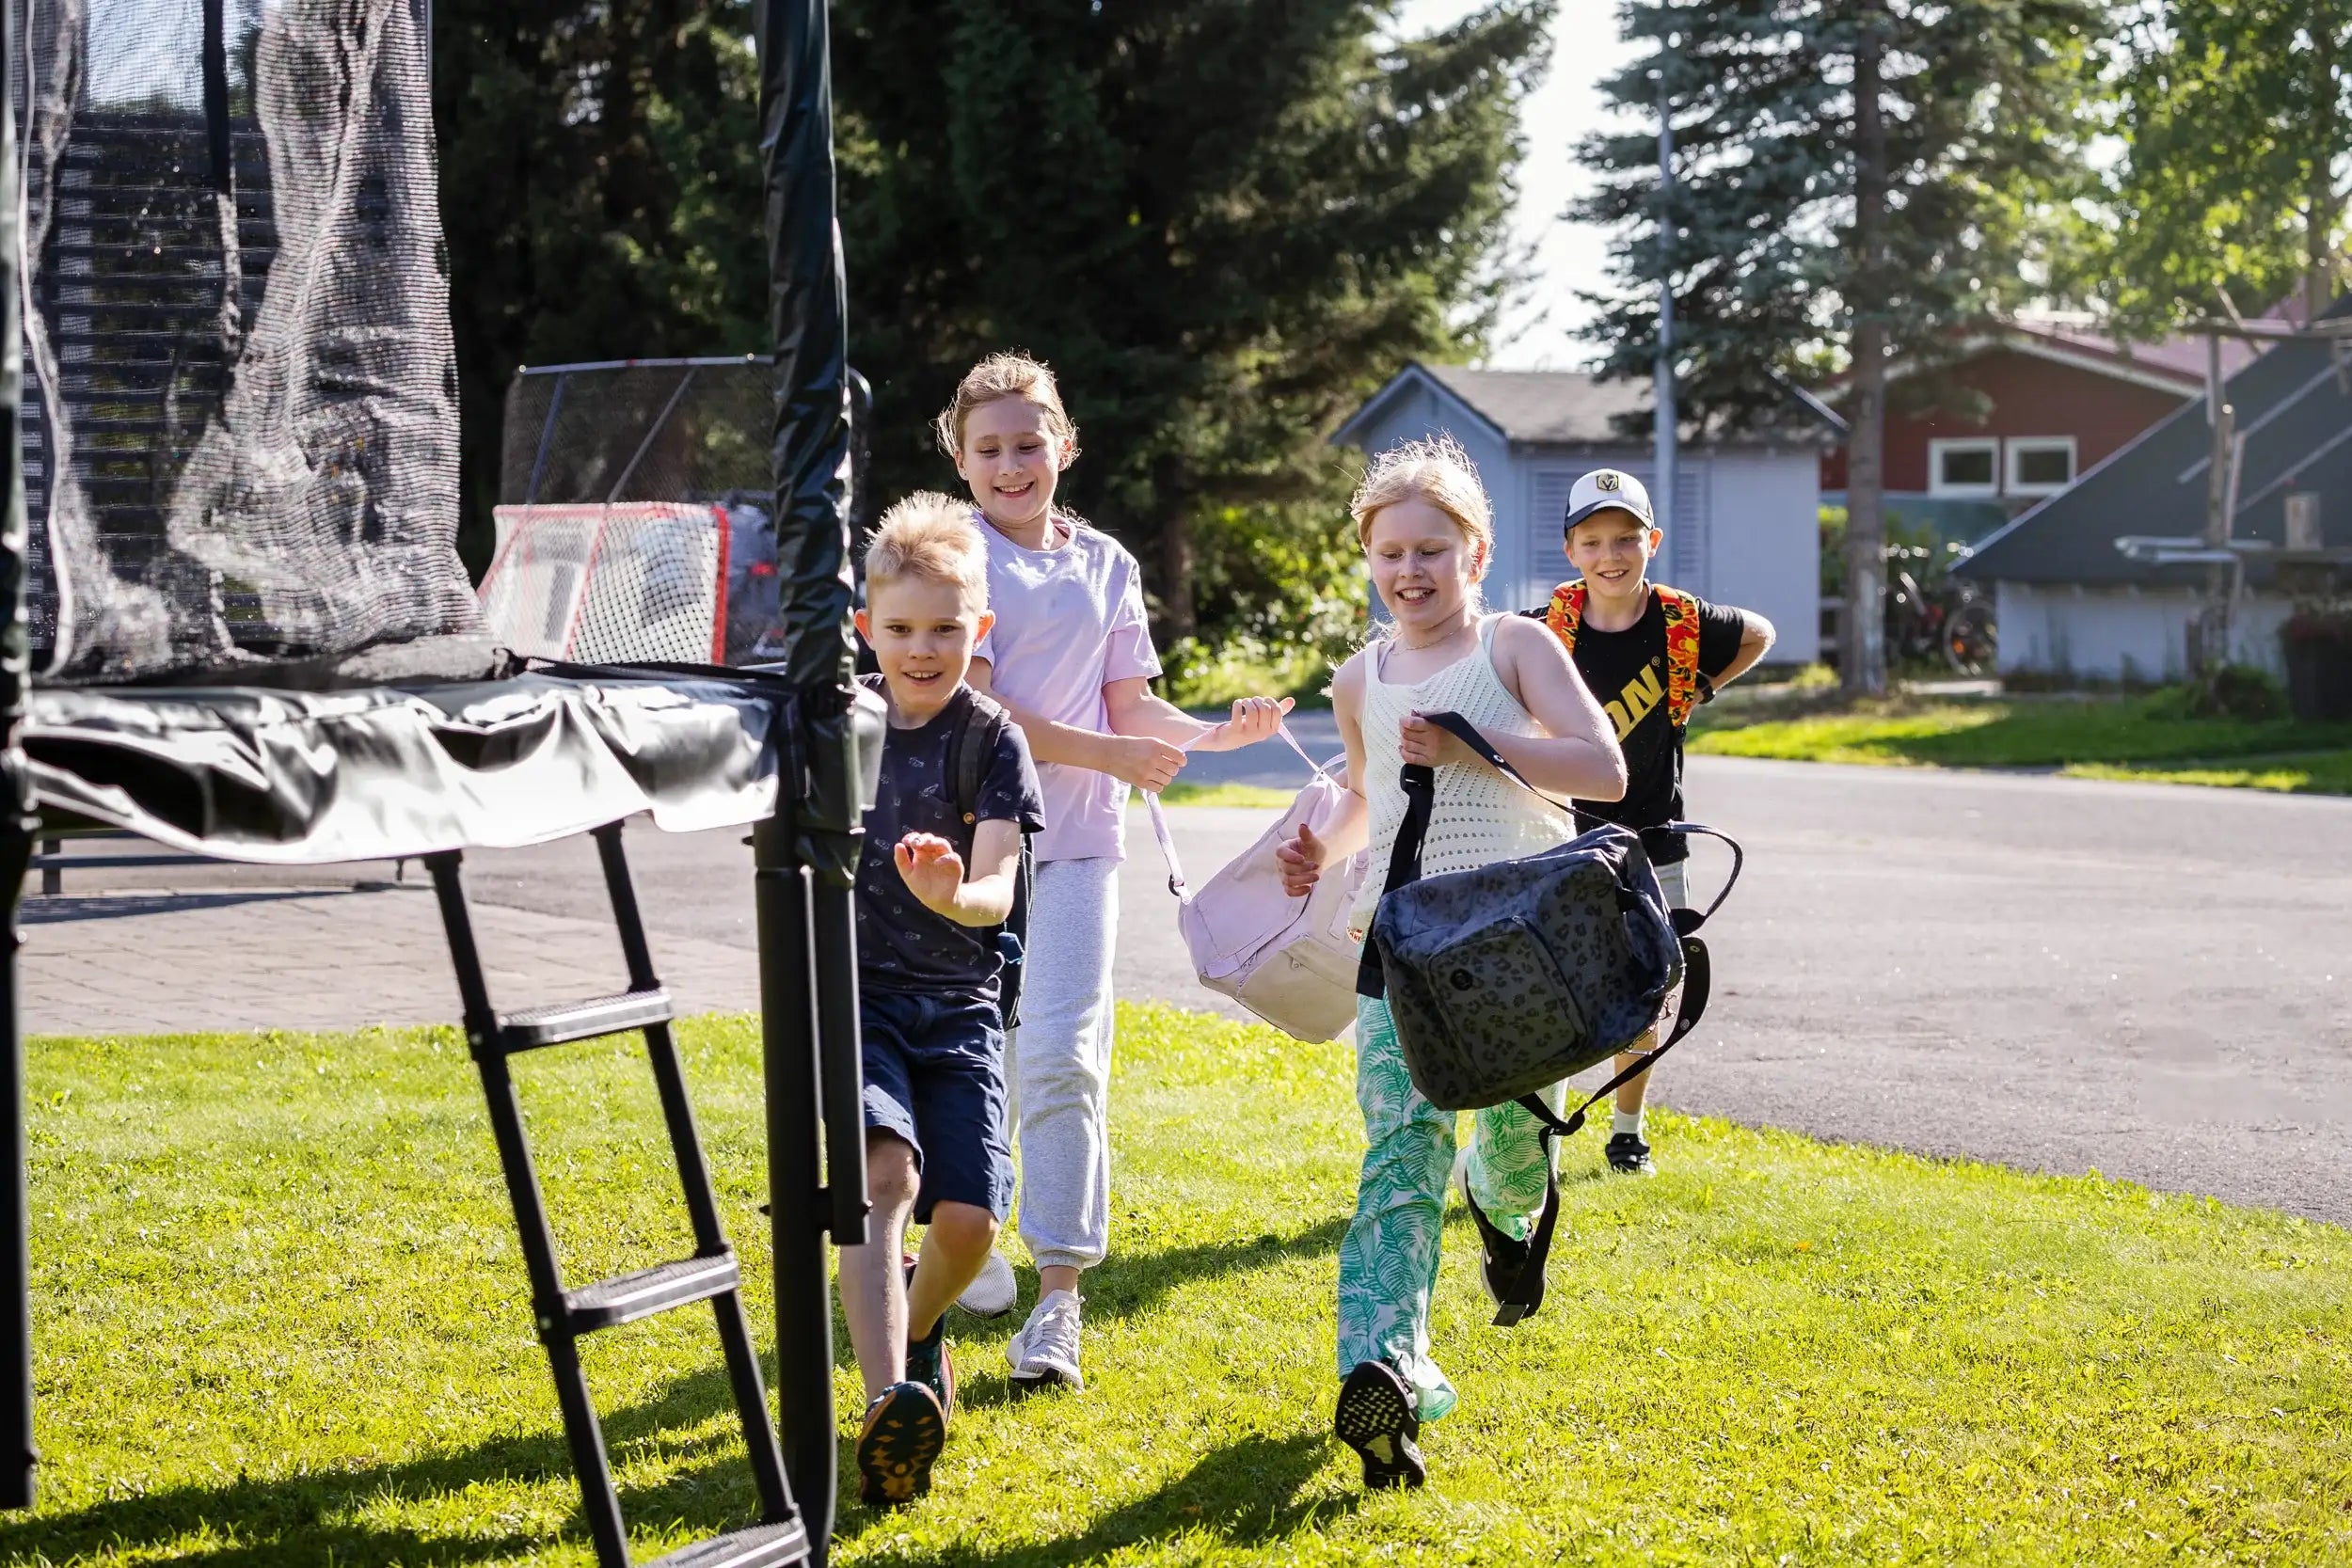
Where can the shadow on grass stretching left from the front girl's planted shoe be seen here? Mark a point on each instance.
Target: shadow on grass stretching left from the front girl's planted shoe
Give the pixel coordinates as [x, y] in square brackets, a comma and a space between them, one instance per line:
[1238, 1496]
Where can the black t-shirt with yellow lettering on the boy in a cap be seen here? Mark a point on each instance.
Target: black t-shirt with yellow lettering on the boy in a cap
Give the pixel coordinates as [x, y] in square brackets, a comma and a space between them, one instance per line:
[1626, 674]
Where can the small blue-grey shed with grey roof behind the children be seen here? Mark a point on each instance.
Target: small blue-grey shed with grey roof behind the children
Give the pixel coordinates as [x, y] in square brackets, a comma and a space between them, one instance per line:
[1746, 525]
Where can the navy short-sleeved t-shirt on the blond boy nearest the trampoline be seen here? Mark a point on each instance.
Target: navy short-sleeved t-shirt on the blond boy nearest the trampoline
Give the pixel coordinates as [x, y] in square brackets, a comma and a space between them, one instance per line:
[907, 946]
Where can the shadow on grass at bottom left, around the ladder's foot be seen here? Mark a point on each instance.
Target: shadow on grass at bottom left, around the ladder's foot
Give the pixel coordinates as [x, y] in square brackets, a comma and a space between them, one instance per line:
[321, 1517]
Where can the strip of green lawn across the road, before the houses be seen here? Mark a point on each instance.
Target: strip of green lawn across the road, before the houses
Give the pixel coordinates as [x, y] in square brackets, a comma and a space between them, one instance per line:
[2141, 737]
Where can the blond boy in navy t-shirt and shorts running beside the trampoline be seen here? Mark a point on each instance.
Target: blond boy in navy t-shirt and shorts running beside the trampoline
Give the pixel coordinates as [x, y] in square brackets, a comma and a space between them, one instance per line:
[935, 883]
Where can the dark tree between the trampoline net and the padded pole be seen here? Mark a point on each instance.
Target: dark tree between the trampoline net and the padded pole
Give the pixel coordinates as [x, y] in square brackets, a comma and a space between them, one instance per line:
[601, 194]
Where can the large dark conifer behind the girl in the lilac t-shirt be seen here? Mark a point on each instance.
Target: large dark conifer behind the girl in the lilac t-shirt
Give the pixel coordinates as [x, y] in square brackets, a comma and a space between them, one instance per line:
[1222, 222]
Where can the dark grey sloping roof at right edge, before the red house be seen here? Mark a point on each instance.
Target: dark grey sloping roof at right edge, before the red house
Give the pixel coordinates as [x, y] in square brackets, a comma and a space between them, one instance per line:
[2297, 415]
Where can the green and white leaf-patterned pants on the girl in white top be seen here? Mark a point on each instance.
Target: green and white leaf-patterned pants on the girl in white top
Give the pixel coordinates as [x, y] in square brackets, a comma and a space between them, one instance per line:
[1389, 1259]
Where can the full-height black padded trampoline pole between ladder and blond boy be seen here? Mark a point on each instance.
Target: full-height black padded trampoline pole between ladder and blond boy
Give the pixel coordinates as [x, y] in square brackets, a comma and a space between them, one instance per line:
[806, 857]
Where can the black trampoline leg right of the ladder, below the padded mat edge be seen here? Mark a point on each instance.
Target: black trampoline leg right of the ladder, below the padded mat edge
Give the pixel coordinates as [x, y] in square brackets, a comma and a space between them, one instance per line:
[782, 897]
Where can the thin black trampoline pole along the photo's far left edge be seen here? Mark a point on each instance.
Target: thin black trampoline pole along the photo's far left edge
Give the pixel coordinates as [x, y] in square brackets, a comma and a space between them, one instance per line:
[15, 833]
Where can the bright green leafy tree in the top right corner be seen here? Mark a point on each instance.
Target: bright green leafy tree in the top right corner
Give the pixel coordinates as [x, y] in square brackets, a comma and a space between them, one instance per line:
[2238, 145]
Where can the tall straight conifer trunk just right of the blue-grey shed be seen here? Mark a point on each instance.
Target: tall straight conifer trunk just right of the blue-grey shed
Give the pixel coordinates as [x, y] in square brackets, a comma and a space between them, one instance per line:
[1864, 645]
